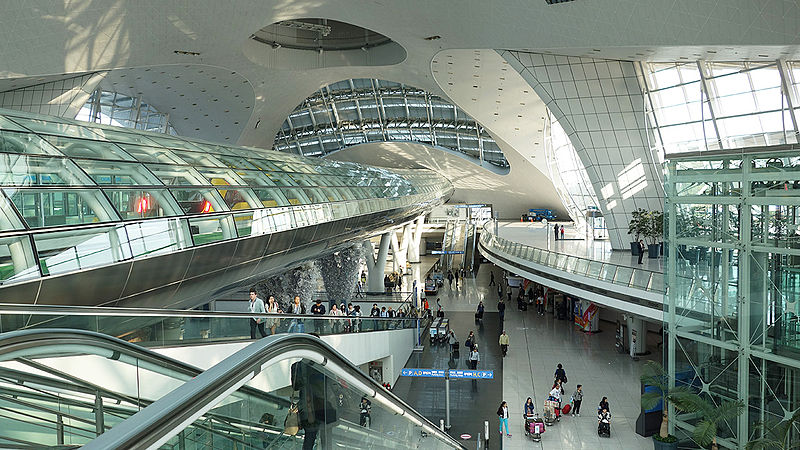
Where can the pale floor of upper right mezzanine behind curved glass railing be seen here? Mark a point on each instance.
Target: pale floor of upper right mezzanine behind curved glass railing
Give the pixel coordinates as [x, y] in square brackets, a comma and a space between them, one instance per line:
[536, 235]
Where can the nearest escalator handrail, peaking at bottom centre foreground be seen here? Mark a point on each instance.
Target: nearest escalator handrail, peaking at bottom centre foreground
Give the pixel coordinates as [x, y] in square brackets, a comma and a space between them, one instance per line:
[167, 417]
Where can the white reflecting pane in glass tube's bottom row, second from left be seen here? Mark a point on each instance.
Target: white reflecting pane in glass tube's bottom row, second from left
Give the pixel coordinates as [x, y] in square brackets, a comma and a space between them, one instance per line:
[68, 251]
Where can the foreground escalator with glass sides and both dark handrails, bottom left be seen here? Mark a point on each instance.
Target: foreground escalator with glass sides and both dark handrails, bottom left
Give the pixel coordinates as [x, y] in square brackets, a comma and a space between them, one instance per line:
[242, 402]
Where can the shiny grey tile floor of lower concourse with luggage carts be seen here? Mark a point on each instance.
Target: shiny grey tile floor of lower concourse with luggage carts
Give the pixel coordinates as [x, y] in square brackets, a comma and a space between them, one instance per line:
[538, 343]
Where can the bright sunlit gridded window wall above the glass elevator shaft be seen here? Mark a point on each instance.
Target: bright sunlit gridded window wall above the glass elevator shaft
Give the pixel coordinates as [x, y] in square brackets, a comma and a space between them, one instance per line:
[703, 105]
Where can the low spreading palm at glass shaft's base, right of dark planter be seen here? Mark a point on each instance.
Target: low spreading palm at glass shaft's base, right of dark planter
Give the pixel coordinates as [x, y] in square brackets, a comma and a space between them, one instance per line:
[711, 416]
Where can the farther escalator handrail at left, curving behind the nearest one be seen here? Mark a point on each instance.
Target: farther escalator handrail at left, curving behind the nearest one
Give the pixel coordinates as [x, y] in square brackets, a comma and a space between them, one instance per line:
[47, 342]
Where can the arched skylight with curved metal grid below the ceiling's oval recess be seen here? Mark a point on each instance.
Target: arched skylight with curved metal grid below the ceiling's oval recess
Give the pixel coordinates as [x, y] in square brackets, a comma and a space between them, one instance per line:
[356, 111]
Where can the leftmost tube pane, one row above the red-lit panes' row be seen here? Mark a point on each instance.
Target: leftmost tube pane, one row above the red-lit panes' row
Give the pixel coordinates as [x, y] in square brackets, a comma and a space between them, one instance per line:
[24, 170]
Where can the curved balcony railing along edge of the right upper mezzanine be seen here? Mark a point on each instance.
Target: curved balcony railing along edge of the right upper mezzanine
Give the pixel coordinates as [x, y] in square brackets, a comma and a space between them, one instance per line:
[487, 237]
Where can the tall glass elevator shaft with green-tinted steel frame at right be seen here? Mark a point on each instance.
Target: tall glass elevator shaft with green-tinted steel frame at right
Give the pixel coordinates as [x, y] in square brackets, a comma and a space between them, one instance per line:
[733, 277]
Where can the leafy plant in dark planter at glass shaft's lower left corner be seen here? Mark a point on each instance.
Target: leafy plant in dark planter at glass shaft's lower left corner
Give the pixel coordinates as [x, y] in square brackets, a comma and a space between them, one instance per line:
[653, 374]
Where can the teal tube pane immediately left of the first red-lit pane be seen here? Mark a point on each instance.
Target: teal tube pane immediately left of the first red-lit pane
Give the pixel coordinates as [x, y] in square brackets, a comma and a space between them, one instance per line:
[54, 207]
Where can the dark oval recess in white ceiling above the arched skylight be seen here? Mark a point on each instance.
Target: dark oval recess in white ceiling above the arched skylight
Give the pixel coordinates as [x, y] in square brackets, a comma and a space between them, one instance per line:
[319, 34]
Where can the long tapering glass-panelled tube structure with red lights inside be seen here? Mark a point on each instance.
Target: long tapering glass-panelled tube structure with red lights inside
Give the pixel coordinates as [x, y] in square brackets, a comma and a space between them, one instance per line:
[75, 195]
